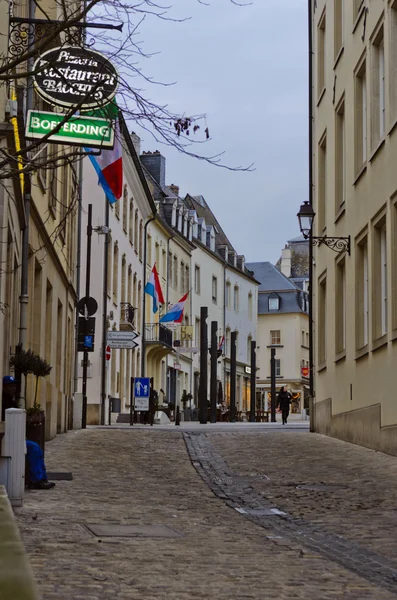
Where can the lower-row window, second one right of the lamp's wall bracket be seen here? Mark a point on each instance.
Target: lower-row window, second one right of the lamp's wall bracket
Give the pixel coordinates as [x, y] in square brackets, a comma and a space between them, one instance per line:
[380, 279]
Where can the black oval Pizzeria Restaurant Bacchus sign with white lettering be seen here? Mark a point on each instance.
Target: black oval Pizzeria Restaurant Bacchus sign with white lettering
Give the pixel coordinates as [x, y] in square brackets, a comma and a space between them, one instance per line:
[69, 76]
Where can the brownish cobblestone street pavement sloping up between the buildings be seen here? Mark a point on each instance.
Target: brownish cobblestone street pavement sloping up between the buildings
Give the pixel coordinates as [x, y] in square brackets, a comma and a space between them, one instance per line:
[145, 477]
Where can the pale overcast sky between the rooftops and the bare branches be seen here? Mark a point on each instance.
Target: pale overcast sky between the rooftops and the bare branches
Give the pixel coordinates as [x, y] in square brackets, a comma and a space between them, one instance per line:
[246, 68]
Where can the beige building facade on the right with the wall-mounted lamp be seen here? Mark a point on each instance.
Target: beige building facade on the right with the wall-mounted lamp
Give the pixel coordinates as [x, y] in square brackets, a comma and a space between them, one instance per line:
[355, 193]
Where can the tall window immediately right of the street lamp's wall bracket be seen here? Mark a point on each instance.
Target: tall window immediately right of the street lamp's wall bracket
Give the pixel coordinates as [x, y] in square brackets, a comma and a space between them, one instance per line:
[362, 294]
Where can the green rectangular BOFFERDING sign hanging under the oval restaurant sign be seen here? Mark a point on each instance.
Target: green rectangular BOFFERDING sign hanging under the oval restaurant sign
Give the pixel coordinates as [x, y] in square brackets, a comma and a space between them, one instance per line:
[92, 132]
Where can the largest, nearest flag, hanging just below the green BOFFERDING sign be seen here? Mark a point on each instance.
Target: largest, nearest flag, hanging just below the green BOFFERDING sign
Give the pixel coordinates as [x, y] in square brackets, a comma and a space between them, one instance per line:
[109, 168]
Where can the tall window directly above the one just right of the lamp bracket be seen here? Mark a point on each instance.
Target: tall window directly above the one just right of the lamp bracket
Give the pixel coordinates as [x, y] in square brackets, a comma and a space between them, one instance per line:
[361, 114]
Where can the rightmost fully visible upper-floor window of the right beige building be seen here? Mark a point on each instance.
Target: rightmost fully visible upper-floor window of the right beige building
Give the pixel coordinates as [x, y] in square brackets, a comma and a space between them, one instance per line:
[378, 89]
